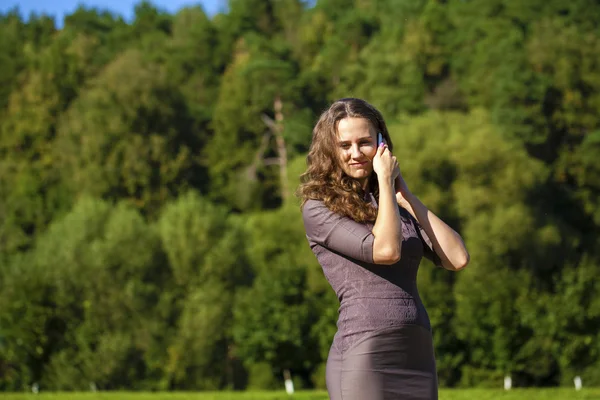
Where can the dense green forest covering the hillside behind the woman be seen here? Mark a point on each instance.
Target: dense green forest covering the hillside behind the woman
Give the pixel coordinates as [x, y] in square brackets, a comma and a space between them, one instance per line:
[150, 237]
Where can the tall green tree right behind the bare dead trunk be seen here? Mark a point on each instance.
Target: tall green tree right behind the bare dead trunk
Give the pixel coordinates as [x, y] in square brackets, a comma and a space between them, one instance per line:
[258, 110]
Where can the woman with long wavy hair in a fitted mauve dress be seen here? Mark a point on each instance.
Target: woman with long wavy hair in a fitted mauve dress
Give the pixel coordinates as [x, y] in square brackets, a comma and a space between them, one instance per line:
[369, 233]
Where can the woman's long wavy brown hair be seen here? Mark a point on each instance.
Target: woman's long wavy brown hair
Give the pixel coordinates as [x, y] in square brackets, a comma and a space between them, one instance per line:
[324, 178]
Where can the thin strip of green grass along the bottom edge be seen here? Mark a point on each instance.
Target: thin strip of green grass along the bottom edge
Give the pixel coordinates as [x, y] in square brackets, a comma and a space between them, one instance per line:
[453, 394]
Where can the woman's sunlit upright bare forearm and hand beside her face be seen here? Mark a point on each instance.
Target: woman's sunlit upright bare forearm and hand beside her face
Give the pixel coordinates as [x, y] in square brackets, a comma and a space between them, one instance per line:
[387, 230]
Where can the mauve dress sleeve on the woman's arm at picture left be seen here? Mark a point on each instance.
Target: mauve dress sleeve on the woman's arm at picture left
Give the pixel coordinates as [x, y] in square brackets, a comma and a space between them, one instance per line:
[338, 233]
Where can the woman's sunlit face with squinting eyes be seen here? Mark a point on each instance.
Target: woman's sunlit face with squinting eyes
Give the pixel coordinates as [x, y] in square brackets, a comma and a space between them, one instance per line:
[357, 145]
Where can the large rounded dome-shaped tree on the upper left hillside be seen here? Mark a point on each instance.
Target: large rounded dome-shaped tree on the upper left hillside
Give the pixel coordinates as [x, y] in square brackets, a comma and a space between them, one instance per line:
[128, 137]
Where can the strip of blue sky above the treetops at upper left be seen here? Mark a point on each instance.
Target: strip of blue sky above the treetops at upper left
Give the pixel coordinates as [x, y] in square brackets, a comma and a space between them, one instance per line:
[58, 8]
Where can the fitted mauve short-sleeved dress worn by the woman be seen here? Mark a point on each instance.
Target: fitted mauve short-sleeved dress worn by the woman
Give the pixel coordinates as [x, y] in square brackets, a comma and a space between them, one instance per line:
[383, 347]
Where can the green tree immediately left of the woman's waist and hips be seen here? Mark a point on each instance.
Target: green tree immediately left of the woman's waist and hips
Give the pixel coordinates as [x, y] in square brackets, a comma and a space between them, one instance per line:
[274, 318]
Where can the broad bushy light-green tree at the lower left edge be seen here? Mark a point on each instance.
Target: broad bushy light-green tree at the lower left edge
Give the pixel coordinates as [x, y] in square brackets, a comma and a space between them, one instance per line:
[99, 272]
